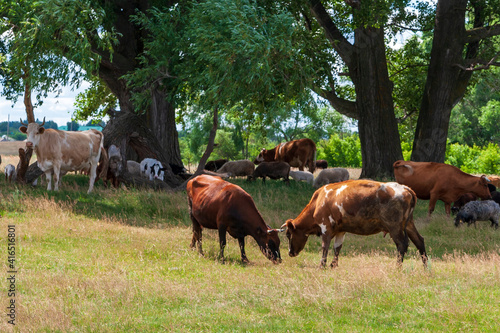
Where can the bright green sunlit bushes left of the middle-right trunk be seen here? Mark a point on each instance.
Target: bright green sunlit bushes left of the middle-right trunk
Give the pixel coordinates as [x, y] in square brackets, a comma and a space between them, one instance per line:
[341, 152]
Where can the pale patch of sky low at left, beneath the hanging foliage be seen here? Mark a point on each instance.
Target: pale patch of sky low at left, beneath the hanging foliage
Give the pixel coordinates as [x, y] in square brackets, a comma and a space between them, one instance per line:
[57, 108]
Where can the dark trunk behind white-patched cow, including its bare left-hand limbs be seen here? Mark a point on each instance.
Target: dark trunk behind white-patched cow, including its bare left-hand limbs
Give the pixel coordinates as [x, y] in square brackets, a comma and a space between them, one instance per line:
[374, 109]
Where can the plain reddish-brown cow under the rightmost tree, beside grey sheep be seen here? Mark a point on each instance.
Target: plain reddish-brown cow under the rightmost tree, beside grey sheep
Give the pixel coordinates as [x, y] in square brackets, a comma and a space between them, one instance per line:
[438, 181]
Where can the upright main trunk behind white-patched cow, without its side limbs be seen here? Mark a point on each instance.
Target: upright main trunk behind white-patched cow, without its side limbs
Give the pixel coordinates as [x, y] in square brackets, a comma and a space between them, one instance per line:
[378, 130]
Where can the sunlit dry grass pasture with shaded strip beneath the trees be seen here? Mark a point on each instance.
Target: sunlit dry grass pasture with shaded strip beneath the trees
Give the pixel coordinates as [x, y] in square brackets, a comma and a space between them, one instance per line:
[119, 261]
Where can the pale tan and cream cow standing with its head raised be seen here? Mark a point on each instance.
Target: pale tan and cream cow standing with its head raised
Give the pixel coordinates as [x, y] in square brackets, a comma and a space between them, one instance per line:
[58, 152]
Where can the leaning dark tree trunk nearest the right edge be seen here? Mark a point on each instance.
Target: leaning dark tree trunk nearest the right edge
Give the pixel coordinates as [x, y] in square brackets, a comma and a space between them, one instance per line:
[446, 83]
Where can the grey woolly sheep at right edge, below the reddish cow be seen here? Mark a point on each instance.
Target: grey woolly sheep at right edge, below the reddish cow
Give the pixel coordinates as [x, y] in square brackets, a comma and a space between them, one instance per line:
[473, 211]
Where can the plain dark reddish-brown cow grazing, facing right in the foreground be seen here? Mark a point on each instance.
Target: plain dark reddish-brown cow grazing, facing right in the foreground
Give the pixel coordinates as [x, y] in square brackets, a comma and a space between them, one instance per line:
[217, 204]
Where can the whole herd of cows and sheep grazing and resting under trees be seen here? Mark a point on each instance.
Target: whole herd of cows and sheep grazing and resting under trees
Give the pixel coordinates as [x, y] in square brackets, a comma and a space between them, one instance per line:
[338, 206]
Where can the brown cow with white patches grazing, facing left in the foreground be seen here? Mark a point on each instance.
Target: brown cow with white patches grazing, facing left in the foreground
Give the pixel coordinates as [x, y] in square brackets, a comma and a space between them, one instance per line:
[362, 207]
